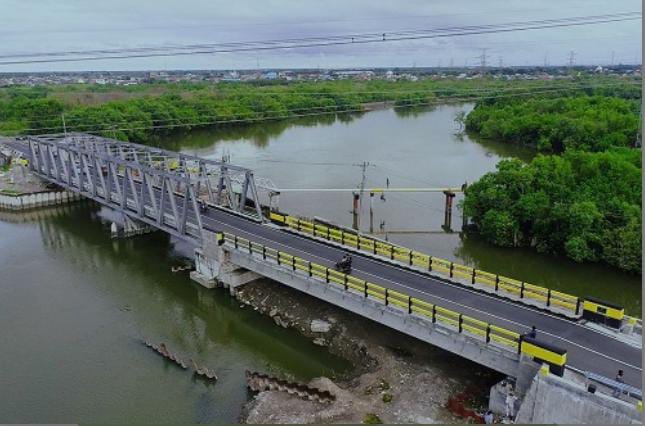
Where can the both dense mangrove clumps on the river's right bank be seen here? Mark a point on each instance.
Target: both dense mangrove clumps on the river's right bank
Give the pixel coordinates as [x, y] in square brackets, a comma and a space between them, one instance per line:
[582, 199]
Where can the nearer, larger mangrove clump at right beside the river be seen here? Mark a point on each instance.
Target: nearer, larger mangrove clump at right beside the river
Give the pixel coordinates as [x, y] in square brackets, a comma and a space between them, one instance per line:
[586, 206]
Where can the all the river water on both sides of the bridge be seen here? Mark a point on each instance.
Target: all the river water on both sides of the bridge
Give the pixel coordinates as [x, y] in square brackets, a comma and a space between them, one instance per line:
[75, 305]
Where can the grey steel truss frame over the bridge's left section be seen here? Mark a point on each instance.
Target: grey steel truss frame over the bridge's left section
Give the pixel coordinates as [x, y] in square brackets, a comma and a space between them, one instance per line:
[158, 187]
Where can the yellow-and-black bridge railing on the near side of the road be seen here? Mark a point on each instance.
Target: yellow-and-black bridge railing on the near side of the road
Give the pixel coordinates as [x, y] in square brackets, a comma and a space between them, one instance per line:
[406, 304]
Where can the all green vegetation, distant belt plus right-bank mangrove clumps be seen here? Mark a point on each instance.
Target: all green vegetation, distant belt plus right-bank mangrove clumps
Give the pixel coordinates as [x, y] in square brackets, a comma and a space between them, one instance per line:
[584, 204]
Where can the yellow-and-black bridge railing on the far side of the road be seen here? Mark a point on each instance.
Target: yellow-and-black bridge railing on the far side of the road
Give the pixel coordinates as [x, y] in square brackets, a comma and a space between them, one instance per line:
[518, 290]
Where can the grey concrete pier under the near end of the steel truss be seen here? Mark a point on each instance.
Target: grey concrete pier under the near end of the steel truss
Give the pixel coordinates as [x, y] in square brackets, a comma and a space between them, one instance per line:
[213, 266]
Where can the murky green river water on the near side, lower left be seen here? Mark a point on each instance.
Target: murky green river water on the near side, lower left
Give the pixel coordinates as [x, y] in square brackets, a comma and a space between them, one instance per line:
[76, 305]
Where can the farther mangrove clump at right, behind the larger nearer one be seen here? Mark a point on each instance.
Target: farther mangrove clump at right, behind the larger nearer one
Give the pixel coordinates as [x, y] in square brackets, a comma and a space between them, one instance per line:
[588, 123]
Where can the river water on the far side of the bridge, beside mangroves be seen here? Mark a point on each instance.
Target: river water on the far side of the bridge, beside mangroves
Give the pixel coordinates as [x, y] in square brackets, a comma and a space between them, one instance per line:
[418, 148]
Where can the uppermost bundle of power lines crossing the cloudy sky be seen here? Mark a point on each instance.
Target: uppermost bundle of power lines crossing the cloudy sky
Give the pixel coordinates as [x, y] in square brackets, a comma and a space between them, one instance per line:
[319, 41]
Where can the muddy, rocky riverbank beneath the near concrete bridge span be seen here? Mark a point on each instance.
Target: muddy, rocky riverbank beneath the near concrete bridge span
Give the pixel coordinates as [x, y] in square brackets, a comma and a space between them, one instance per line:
[395, 378]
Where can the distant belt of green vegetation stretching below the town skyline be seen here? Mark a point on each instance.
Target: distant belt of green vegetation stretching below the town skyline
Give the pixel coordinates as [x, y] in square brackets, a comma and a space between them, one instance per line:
[142, 113]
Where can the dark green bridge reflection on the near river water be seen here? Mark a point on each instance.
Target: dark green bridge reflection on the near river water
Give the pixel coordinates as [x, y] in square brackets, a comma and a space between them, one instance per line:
[209, 319]
